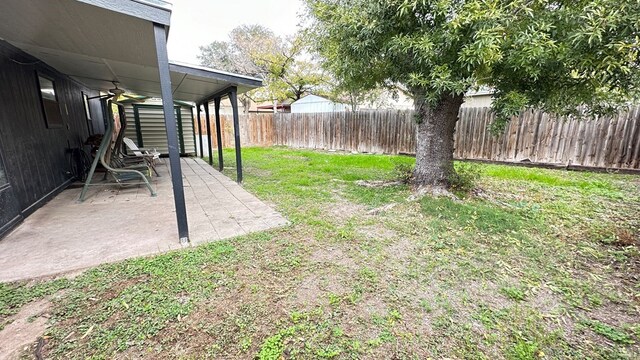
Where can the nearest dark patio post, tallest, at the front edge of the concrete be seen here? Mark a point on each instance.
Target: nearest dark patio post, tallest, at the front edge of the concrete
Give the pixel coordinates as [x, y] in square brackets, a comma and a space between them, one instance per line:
[160, 33]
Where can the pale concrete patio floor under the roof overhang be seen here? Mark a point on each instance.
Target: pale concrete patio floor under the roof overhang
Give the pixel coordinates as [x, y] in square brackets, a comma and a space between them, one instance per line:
[117, 223]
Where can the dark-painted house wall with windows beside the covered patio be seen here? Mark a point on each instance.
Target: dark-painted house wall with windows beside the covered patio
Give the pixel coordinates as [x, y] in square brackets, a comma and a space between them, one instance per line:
[35, 157]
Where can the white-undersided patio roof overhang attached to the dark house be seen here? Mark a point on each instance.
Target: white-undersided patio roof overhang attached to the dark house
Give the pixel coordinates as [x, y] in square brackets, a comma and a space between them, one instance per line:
[97, 42]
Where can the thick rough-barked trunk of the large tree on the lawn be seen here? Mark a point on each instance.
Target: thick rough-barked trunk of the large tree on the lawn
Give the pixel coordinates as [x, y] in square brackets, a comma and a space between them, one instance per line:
[434, 153]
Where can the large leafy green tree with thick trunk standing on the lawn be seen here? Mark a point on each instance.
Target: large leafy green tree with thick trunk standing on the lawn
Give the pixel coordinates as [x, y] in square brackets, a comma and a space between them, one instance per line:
[554, 55]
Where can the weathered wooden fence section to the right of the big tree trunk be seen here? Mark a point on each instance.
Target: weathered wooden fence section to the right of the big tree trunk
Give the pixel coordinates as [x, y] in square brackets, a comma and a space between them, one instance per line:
[535, 136]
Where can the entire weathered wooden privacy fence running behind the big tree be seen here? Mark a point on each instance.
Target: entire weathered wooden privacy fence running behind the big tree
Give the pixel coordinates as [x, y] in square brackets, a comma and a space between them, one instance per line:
[534, 136]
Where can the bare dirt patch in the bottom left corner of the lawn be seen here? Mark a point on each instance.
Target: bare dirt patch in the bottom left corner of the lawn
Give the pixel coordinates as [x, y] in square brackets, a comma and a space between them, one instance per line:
[25, 329]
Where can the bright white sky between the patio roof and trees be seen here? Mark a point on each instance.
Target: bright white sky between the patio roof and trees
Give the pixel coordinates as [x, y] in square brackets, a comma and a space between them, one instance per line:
[199, 22]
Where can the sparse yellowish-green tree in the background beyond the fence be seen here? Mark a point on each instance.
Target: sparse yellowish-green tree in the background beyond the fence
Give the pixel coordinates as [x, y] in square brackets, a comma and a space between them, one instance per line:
[256, 51]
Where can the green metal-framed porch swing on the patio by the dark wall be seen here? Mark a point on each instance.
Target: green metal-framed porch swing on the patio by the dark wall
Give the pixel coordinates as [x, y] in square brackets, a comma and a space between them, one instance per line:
[122, 169]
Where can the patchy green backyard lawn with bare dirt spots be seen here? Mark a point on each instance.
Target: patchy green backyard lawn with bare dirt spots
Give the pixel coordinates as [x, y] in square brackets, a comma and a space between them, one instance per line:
[536, 264]
